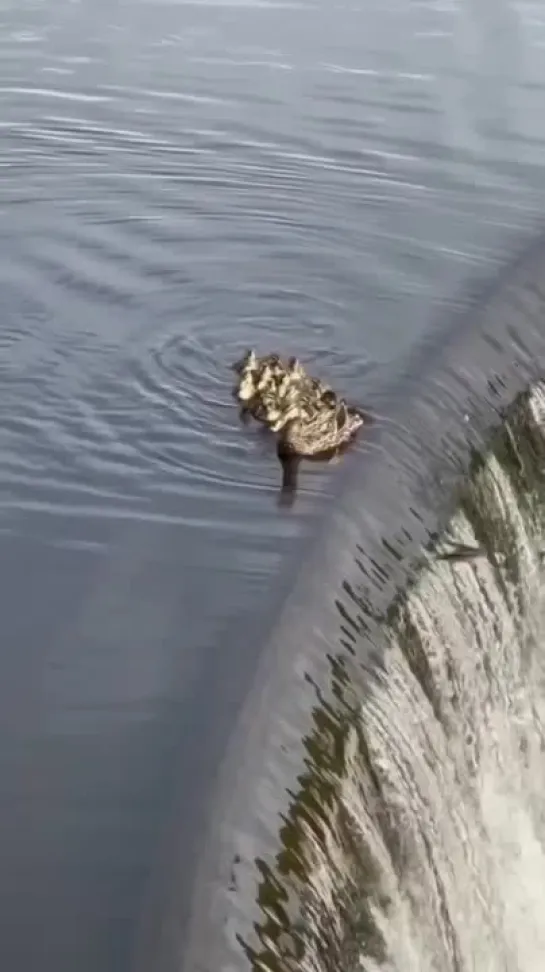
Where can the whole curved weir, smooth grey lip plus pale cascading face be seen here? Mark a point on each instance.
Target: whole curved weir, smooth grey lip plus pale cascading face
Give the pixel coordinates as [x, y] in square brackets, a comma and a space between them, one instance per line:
[311, 836]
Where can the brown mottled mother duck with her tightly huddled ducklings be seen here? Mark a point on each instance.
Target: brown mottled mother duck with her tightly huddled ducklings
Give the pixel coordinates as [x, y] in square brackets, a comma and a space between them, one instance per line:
[306, 414]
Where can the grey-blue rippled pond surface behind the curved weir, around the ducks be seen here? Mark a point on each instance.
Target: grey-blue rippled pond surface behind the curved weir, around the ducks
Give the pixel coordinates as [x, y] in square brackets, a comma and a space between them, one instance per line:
[179, 181]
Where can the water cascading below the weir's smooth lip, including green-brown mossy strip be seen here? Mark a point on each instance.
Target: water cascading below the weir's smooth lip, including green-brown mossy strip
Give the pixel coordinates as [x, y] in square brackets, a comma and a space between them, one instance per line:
[418, 838]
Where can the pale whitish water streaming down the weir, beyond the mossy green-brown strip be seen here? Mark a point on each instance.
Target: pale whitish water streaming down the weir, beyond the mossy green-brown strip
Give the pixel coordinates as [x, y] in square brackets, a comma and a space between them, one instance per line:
[452, 812]
